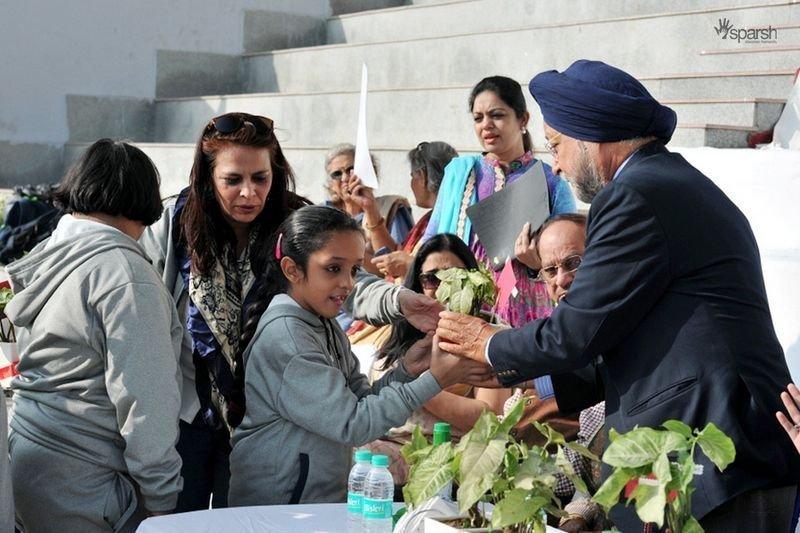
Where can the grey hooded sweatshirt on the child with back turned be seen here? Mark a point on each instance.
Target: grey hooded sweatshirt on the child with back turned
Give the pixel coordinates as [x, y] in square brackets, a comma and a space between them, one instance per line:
[99, 341]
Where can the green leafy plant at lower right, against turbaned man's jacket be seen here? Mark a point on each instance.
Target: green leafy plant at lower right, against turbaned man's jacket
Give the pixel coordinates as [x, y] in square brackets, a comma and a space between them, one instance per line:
[654, 469]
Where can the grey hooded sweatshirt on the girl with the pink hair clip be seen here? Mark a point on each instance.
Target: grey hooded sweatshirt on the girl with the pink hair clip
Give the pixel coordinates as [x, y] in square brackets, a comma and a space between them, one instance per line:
[308, 405]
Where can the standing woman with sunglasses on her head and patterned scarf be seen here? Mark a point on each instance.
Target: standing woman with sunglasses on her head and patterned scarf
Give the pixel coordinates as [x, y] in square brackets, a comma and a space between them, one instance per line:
[208, 245]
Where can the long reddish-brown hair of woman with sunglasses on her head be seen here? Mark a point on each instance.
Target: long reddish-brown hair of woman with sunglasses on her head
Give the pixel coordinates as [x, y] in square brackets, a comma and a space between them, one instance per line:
[204, 231]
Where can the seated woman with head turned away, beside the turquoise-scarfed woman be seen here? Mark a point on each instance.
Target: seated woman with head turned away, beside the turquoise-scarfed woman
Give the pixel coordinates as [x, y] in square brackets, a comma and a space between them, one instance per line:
[427, 162]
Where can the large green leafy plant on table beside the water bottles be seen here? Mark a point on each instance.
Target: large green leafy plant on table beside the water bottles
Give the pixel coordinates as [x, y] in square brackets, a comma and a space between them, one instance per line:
[489, 465]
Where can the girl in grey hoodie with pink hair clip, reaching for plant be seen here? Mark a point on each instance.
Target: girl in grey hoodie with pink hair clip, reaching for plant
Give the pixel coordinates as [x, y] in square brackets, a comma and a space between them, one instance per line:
[308, 404]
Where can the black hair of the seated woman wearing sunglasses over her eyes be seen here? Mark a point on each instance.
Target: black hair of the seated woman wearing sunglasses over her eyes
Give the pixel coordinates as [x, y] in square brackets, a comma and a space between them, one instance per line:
[403, 333]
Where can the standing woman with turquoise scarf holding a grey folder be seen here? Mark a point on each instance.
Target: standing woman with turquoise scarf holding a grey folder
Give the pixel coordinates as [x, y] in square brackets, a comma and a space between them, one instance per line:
[500, 119]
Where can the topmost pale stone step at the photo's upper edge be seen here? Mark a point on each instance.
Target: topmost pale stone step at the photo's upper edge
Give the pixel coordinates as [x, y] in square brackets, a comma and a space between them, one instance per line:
[479, 16]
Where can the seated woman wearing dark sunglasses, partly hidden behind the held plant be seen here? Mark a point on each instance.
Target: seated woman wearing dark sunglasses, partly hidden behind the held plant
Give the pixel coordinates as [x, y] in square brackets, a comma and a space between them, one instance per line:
[460, 405]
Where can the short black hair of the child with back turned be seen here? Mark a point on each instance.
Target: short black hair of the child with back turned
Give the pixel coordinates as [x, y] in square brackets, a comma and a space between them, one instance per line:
[114, 178]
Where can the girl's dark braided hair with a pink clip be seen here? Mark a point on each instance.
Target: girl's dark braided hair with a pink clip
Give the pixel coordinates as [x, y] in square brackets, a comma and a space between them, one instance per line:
[304, 232]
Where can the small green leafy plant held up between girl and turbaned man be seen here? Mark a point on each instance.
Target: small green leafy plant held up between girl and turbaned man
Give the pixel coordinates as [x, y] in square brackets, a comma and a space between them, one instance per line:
[466, 291]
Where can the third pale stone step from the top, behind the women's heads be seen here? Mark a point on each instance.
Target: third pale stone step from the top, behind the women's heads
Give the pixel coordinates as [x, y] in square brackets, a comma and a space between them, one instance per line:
[399, 117]
